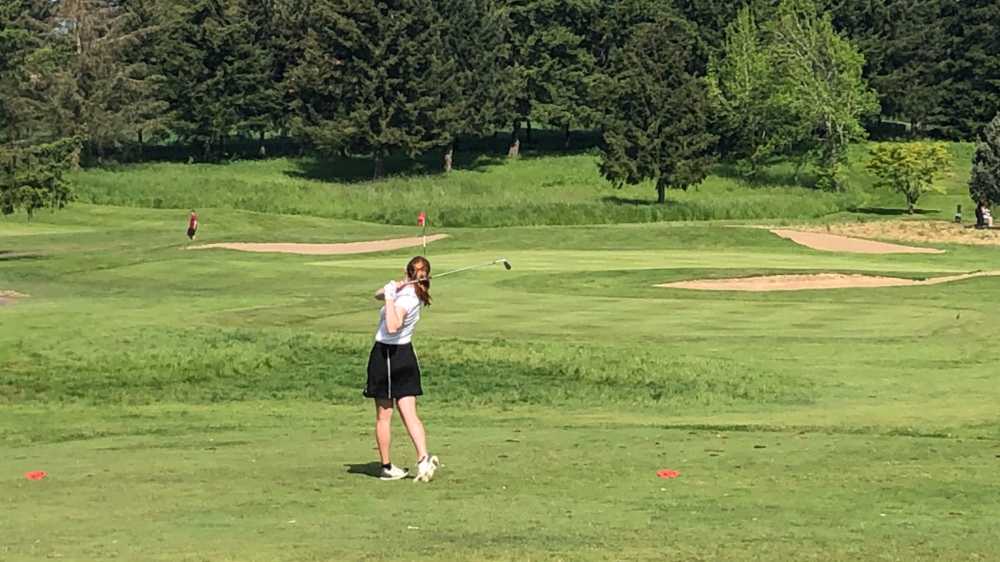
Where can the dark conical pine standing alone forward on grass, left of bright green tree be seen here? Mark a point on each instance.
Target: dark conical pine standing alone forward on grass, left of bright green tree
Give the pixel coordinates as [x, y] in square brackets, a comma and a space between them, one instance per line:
[657, 124]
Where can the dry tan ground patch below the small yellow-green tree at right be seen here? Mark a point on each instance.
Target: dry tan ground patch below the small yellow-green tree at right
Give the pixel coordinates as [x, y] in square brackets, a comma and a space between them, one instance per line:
[926, 232]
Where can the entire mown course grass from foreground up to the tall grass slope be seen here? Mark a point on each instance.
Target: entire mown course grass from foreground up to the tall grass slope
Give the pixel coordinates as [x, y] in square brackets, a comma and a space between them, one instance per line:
[206, 406]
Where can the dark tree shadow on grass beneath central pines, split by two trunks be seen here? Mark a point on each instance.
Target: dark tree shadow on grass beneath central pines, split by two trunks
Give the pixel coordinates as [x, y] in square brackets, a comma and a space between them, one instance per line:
[360, 169]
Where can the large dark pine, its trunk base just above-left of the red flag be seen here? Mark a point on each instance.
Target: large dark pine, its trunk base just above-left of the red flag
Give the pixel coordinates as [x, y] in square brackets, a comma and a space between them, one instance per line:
[371, 78]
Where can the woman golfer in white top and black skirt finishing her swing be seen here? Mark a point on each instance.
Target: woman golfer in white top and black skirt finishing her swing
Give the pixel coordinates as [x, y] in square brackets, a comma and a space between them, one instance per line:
[393, 372]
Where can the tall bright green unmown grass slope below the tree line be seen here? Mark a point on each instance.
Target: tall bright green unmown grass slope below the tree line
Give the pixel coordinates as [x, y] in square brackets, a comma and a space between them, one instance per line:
[532, 191]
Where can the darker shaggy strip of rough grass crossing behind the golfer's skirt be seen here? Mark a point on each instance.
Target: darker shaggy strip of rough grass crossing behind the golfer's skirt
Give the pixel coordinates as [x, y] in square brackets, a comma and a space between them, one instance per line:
[226, 365]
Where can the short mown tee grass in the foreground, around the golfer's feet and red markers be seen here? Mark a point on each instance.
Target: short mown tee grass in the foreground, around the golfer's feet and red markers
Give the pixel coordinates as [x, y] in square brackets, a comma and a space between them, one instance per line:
[279, 481]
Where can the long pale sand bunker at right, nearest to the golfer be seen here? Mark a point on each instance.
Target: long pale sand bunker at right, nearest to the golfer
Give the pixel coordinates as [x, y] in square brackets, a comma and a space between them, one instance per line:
[815, 281]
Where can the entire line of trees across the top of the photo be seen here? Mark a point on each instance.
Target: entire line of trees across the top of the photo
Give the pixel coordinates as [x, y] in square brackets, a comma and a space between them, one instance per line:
[670, 84]
